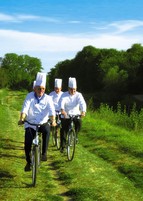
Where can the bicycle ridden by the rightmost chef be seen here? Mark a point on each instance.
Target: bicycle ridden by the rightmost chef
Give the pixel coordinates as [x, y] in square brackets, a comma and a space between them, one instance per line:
[71, 138]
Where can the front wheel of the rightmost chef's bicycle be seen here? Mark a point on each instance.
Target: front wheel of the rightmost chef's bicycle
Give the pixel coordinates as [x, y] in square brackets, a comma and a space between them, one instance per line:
[71, 144]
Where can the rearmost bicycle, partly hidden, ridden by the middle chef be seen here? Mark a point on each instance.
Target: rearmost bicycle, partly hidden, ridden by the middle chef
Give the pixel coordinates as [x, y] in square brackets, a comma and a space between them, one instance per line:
[56, 131]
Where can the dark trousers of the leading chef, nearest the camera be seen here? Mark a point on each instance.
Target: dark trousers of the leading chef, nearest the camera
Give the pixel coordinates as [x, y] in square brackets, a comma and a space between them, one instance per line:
[29, 136]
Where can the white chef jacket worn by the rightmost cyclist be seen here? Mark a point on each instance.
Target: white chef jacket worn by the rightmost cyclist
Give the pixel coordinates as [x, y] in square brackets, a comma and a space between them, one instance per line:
[73, 104]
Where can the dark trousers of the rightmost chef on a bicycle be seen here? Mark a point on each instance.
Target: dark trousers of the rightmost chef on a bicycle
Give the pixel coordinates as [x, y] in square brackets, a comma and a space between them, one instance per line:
[65, 127]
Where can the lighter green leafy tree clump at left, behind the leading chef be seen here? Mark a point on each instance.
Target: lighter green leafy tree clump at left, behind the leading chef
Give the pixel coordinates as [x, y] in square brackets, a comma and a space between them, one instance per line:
[19, 72]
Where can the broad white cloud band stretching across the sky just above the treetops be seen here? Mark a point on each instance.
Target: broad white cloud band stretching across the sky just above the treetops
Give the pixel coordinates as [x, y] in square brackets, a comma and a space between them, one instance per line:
[52, 48]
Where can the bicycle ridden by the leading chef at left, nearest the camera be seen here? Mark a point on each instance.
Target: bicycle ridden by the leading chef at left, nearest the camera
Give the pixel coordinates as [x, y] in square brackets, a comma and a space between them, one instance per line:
[36, 152]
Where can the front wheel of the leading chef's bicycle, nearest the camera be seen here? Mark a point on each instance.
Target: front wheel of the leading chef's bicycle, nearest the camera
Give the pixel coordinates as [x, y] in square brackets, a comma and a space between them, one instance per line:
[34, 164]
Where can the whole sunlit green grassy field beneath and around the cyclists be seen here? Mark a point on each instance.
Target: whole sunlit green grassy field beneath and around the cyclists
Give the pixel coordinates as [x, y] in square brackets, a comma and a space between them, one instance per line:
[108, 163]
